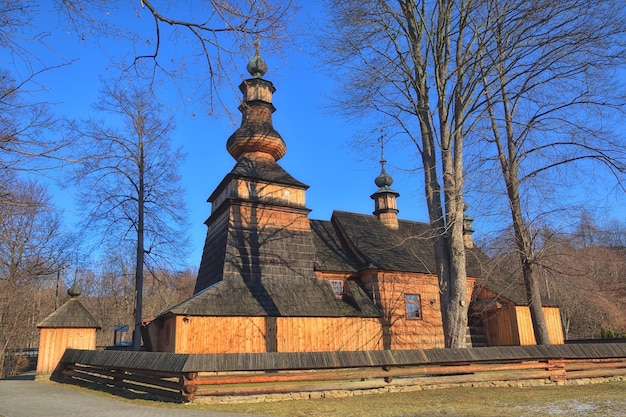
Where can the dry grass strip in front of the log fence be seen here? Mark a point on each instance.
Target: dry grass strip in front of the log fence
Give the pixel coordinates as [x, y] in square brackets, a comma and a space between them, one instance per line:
[605, 399]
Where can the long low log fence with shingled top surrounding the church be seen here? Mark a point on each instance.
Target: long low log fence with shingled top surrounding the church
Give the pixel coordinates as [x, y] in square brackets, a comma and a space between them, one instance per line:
[186, 377]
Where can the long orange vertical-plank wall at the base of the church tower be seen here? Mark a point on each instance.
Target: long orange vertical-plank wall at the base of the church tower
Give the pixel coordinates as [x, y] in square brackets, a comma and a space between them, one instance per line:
[180, 334]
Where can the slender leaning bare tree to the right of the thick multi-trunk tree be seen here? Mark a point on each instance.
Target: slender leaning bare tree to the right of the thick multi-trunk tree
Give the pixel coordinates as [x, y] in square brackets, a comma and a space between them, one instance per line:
[548, 96]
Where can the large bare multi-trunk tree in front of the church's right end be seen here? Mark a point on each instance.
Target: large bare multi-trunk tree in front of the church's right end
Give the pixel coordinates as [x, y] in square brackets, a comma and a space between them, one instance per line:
[415, 64]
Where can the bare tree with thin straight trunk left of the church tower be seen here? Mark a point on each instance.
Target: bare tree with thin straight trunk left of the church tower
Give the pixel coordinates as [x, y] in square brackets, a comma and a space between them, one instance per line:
[129, 182]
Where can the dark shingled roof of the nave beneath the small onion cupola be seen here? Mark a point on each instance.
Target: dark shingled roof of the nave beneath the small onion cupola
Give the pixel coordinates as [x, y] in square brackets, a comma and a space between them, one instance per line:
[407, 249]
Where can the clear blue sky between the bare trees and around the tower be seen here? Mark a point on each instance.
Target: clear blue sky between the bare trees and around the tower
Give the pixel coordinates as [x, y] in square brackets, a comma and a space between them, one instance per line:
[319, 142]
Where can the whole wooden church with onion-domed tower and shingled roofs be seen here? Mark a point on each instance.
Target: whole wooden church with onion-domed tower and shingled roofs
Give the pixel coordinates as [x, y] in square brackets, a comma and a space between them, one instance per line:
[273, 280]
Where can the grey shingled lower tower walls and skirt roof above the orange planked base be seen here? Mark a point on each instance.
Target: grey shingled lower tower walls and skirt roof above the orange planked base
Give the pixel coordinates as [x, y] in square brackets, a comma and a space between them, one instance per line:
[265, 271]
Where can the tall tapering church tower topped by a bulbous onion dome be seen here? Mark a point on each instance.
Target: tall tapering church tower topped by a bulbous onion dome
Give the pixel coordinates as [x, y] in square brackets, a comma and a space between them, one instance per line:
[259, 238]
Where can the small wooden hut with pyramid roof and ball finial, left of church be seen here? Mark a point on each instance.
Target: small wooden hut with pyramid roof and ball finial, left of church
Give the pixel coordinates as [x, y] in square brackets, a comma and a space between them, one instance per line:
[71, 326]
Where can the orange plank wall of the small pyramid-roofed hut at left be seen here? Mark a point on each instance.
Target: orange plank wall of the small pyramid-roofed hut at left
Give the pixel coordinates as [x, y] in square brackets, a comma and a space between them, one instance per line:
[53, 343]
